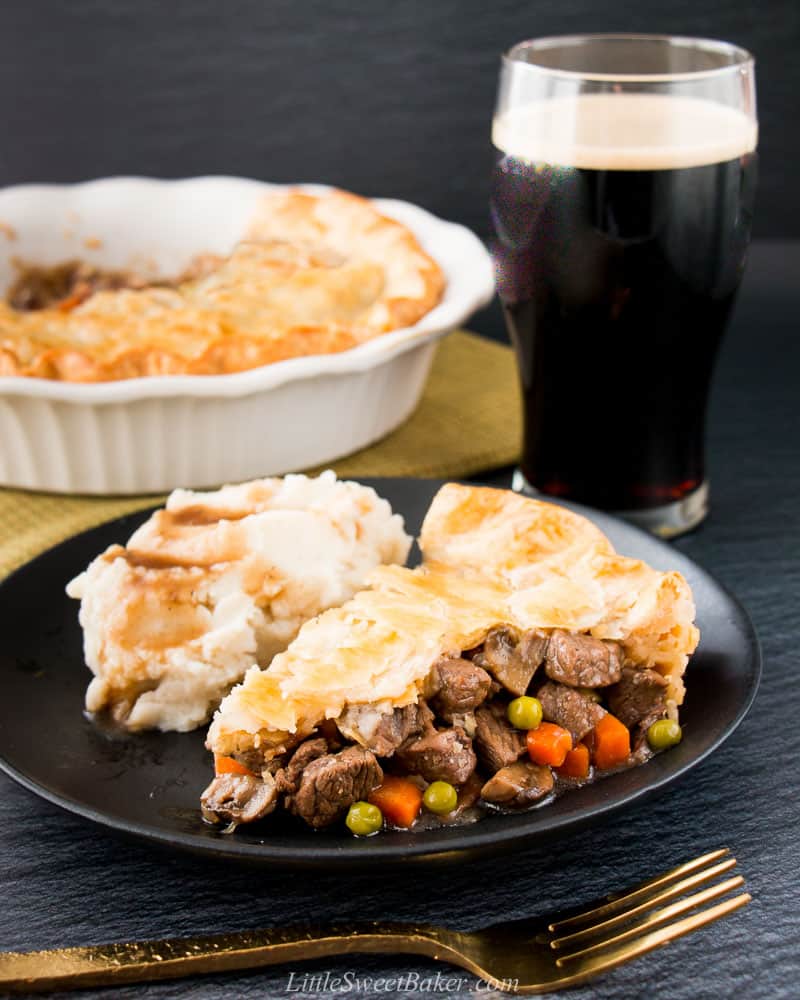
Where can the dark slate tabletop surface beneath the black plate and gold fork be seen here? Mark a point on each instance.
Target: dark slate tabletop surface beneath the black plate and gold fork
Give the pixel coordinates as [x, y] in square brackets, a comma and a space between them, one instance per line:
[64, 882]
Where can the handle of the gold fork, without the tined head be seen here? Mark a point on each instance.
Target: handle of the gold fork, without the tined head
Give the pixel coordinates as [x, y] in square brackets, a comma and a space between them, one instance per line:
[139, 961]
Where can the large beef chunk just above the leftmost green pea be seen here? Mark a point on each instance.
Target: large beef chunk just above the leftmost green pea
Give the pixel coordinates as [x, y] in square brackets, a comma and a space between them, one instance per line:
[330, 784]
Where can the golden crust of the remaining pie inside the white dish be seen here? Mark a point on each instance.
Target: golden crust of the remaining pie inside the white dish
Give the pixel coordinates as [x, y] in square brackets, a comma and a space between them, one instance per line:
[314, 274]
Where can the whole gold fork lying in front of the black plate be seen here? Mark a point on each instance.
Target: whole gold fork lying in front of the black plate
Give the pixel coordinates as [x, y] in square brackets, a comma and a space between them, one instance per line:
[525, 956]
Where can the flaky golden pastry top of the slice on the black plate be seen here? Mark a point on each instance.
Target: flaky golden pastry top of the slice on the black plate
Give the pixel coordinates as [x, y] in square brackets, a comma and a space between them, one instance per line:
[492, 558]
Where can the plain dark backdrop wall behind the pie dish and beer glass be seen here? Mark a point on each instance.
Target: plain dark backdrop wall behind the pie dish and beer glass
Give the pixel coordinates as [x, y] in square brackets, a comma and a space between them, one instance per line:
[390, 99]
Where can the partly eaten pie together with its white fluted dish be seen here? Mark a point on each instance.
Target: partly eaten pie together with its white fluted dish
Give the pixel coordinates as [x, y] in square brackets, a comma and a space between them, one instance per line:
[155, 260]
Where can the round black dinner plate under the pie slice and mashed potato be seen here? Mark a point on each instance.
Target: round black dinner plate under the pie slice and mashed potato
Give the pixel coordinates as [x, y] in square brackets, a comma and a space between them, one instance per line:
[148, 785]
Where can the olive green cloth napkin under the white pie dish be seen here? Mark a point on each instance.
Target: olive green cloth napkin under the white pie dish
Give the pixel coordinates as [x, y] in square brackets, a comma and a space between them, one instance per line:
[467, 422]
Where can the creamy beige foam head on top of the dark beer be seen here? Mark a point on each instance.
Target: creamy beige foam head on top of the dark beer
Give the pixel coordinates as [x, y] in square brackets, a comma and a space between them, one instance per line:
[626, 131]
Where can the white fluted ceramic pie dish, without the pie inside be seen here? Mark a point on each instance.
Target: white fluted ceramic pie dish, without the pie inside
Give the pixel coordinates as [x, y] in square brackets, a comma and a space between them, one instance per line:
[152, 434]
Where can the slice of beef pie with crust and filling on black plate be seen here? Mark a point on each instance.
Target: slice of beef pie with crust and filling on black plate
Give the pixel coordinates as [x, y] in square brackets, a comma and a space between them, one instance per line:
[524, 658]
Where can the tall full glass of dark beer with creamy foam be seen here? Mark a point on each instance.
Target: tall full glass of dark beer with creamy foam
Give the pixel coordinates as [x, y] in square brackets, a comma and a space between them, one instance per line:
[621, 206]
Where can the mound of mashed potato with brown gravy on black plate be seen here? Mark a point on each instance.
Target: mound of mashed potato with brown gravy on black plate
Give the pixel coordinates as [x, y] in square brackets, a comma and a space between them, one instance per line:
[217, 582]
